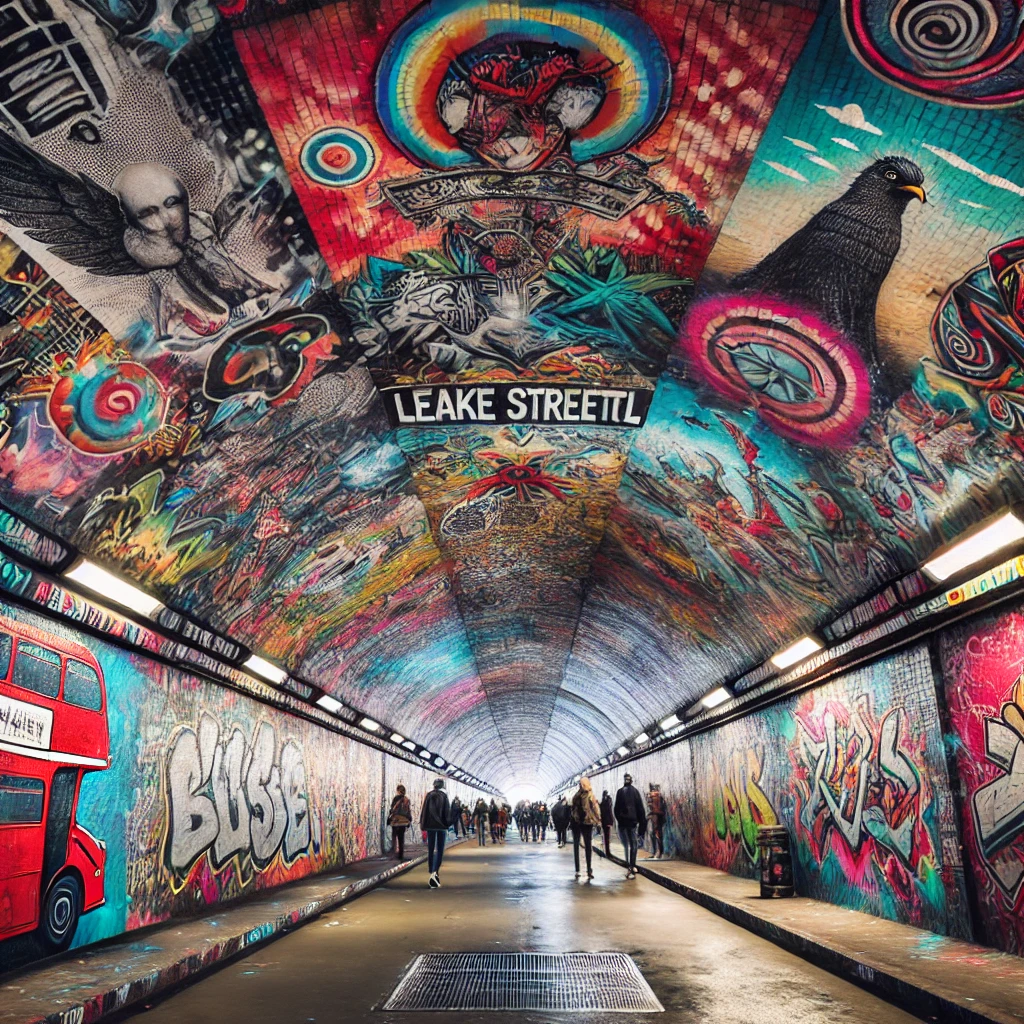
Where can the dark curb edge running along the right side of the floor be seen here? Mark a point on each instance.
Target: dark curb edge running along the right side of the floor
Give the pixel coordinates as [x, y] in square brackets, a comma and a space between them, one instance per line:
[906, 995]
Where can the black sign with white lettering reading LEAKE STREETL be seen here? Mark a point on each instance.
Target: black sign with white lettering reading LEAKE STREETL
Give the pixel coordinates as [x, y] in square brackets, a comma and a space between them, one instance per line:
[410, 406]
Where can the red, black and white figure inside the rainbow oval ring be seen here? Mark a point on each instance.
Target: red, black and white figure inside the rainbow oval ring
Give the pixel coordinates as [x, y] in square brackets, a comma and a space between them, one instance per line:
[516, 109]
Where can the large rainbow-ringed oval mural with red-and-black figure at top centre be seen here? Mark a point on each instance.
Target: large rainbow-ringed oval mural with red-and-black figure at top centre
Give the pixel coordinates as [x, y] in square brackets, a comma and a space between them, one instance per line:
[485, 82]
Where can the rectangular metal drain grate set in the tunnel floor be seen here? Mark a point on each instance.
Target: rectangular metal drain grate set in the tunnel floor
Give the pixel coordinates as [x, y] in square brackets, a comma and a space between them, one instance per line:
[568, 983]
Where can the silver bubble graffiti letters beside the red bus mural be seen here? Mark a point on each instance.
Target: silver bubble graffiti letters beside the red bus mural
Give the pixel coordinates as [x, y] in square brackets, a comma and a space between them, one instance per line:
[232, 800]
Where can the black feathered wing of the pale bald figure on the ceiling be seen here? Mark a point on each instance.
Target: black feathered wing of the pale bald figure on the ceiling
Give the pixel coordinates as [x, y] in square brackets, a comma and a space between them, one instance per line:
[78, 221]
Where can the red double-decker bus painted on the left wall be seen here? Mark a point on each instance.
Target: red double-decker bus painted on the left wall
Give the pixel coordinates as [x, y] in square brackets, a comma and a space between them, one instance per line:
[53, 732]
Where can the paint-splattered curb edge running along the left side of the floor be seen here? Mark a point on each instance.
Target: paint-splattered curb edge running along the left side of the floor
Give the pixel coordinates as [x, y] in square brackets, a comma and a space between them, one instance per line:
[194, 965]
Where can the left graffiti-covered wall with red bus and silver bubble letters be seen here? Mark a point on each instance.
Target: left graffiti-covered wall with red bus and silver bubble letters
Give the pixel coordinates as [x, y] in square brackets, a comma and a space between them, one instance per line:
[144, 793]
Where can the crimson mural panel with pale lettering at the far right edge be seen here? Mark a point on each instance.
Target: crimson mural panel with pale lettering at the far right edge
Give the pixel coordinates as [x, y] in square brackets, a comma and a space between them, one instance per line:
[984, 662]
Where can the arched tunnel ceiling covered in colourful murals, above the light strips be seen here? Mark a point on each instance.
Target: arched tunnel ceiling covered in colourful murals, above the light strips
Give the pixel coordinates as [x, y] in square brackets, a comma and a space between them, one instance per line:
[228, 227]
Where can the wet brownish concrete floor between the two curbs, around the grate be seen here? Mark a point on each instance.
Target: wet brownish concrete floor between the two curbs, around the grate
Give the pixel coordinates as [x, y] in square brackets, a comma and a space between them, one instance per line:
[513, 899]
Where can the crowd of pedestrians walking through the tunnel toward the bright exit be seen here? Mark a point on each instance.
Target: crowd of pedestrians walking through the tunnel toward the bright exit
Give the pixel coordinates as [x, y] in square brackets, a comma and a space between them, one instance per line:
[581, 817]
